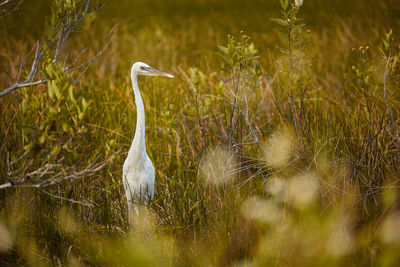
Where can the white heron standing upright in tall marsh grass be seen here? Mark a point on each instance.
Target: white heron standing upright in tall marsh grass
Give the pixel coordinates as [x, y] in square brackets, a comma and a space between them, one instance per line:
[138, 169]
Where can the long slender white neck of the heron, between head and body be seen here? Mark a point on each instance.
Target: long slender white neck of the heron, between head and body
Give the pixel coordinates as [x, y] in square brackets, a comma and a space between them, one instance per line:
[139, 139]
